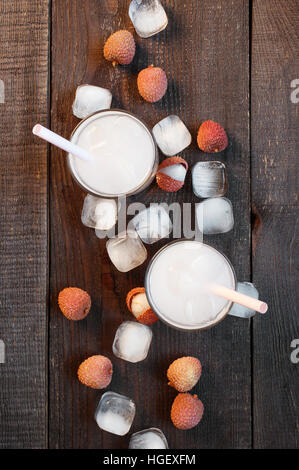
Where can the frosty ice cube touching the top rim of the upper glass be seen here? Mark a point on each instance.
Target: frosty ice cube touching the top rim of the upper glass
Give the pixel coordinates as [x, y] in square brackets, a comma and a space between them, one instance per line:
[90, 99]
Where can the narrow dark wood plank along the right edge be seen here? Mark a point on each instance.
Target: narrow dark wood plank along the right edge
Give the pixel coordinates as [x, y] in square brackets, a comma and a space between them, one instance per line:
[274, 192]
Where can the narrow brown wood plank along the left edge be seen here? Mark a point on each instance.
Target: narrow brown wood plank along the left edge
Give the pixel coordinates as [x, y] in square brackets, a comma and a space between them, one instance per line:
[23, 224]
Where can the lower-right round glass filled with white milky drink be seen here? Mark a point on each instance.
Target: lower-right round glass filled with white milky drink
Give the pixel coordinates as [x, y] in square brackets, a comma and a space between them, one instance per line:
[176, 284]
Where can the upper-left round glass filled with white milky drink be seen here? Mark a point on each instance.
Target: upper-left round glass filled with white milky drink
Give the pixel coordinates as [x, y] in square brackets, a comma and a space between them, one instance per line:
[124, 154]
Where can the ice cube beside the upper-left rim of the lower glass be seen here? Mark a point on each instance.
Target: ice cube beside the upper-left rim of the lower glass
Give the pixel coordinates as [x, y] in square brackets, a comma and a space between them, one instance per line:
[126, 251]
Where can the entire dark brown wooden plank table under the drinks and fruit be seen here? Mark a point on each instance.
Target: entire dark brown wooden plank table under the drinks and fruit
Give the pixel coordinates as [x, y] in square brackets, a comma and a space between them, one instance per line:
[232, 61]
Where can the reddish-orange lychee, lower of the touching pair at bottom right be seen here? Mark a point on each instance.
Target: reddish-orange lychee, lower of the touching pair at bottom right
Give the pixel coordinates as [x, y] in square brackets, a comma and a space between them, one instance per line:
[186, 411]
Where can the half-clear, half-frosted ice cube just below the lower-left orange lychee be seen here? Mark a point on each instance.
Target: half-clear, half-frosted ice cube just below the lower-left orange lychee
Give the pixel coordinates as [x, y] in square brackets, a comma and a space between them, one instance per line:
[115, 413]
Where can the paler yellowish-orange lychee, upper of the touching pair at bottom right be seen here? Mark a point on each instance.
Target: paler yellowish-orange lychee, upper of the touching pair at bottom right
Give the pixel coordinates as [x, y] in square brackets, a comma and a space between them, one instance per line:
[184, 373]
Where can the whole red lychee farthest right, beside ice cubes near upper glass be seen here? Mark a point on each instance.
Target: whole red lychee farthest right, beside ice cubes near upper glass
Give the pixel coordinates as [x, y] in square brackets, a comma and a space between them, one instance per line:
[212, 137]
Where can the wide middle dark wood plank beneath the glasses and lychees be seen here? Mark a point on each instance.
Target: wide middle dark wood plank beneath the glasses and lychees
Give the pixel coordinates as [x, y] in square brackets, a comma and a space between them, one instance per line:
[196, 51]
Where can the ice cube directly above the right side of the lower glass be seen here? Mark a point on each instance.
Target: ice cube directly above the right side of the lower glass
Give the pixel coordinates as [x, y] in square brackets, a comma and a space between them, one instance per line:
[215, 215]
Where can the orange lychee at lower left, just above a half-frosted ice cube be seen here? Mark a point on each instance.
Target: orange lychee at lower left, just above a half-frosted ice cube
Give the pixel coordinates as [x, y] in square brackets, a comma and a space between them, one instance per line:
[96, 372]
